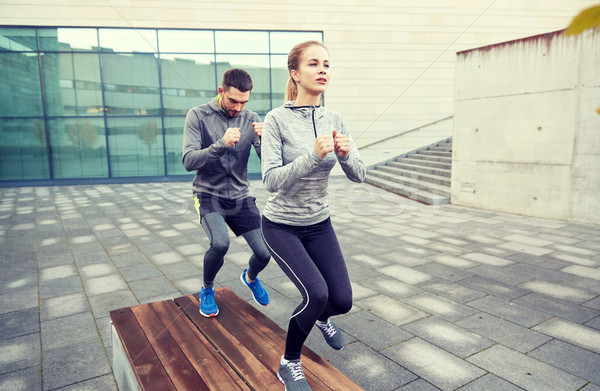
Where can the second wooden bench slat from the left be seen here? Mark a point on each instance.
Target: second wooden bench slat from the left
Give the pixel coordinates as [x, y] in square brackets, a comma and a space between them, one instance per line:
[180, 370]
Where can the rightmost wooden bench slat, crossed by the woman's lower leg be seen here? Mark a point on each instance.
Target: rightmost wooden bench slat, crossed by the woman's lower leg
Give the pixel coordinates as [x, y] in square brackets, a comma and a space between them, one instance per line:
[313, 365]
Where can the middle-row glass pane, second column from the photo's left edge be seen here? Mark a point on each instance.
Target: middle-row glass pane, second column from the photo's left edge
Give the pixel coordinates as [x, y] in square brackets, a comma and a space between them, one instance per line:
[72, 84]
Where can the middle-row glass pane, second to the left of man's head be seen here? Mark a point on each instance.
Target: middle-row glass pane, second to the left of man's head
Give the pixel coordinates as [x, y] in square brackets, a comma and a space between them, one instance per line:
[131, 84]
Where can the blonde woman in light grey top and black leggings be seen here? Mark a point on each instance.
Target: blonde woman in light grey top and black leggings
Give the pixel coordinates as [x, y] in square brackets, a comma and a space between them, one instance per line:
[301, 143]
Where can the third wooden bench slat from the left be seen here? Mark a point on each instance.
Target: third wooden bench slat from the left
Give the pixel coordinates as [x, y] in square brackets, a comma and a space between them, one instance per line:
[209, 364]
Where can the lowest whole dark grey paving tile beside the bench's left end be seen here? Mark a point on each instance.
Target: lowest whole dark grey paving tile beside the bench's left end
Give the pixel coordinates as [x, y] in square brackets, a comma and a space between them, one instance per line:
[74, 364]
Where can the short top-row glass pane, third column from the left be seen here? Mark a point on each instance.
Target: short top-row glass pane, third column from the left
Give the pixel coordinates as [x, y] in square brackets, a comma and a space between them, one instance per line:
[128, 40]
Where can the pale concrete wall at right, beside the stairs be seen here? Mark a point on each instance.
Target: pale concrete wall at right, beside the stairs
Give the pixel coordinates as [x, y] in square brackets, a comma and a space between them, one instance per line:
[526, 132]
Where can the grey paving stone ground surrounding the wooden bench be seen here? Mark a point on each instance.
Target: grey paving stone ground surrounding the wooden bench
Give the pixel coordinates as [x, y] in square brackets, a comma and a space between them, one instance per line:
[445, 297]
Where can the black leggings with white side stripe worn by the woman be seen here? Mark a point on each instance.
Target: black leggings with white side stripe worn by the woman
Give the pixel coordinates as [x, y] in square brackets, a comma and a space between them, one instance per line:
[312, 259]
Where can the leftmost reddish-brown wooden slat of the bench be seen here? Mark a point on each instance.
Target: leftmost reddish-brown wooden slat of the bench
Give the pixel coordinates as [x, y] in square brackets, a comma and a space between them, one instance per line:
[142, 357]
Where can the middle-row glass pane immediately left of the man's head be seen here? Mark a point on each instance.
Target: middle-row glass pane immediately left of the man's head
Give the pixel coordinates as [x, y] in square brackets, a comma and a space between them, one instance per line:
[187, 81]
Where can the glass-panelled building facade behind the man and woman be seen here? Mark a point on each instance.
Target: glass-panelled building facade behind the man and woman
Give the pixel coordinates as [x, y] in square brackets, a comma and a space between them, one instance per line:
[80, 105]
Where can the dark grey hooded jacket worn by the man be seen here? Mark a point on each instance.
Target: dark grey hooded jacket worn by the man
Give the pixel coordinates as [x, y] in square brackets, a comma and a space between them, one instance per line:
[220, 171]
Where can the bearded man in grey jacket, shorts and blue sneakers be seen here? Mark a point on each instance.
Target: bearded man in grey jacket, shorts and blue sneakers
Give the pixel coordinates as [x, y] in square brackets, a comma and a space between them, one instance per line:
[216, 143]
